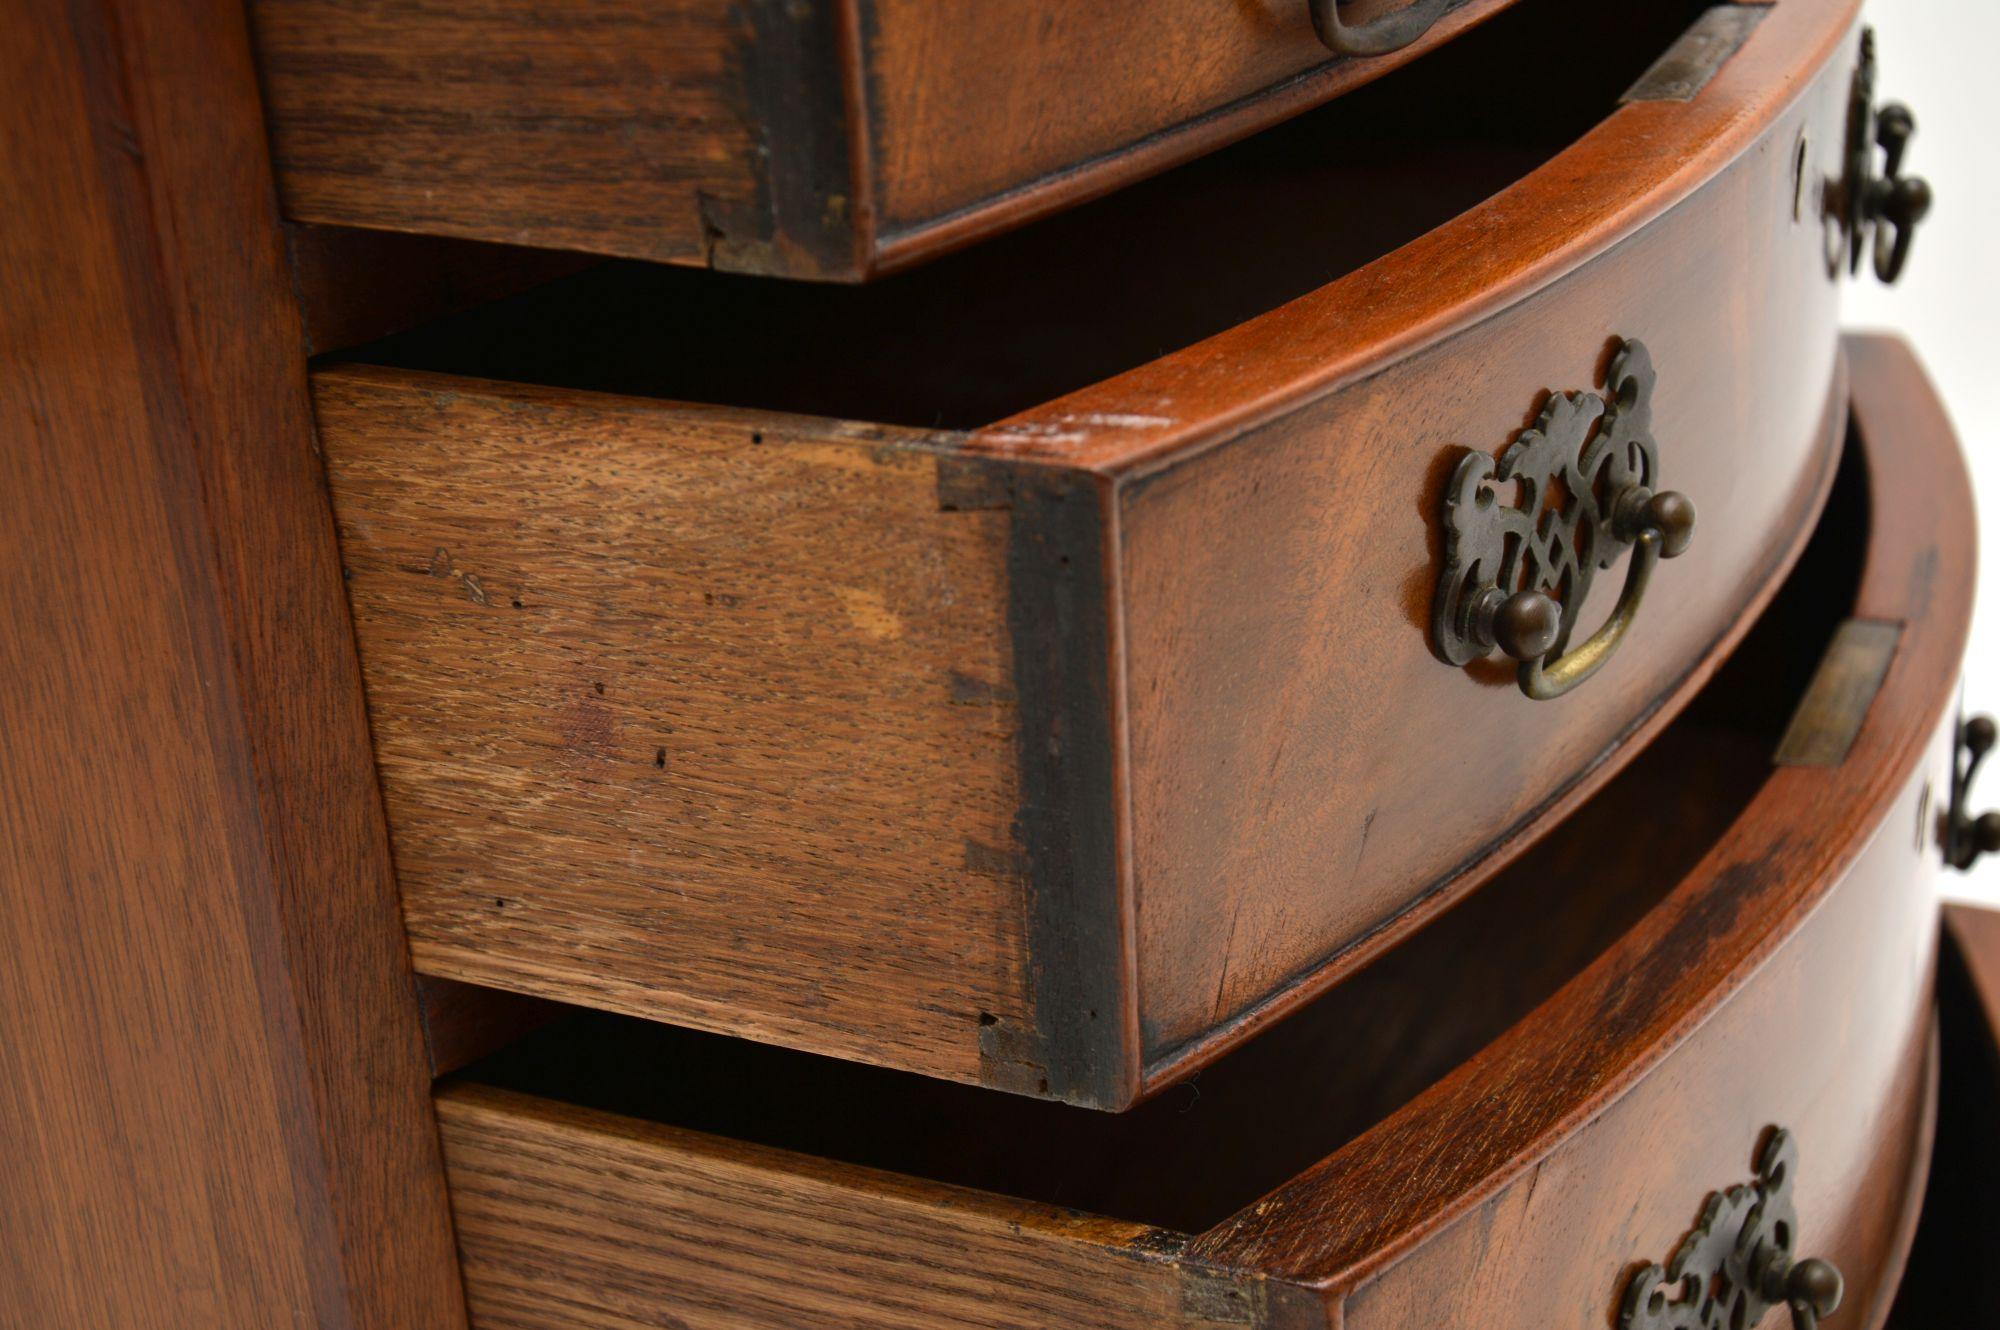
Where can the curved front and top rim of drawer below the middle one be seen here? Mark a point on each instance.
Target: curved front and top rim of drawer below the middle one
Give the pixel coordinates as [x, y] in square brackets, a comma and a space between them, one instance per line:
[1785, 985]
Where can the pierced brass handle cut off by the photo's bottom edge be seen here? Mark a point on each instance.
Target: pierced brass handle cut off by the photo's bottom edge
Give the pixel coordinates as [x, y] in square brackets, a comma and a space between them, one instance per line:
[1737, 1261]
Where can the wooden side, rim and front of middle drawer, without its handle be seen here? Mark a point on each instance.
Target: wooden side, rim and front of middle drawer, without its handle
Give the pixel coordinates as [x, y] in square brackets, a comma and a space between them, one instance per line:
[1277, 769]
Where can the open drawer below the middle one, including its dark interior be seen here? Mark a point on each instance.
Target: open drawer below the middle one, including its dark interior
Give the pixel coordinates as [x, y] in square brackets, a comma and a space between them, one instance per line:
[1499, 1125]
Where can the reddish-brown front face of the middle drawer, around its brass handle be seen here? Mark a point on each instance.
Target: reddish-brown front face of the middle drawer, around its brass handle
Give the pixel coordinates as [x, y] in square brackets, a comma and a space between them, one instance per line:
[1307, 779]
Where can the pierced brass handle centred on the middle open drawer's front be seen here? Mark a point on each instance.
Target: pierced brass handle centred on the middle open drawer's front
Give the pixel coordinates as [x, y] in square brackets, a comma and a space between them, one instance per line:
[1517, 573]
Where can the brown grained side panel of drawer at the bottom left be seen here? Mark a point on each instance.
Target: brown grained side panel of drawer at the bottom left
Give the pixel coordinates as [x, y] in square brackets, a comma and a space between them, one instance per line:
[577, 1219]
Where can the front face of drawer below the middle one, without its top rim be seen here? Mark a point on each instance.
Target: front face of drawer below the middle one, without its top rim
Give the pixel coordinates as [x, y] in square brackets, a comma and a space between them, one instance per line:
[1831, 1041]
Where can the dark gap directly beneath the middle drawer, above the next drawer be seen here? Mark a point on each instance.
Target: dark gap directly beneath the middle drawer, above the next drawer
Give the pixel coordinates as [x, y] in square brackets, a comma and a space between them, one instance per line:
[1303, 1089]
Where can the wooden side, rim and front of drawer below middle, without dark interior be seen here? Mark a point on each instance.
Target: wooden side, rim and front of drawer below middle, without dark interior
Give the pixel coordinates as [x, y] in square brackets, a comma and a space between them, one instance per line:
[1785, 979]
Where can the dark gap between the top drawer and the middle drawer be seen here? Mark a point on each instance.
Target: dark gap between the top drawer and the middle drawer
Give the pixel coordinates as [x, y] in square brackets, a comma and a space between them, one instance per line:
[1103, 289]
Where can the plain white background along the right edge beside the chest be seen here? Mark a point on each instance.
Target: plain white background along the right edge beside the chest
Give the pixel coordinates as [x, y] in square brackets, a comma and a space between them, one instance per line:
[1943, 59]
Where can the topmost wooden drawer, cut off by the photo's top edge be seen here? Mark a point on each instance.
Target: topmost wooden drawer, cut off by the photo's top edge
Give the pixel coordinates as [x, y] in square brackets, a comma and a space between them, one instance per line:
[827, 141]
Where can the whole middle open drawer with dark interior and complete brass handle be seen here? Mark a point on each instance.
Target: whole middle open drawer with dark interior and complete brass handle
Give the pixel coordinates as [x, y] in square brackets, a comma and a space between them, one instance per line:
[877, 711]
